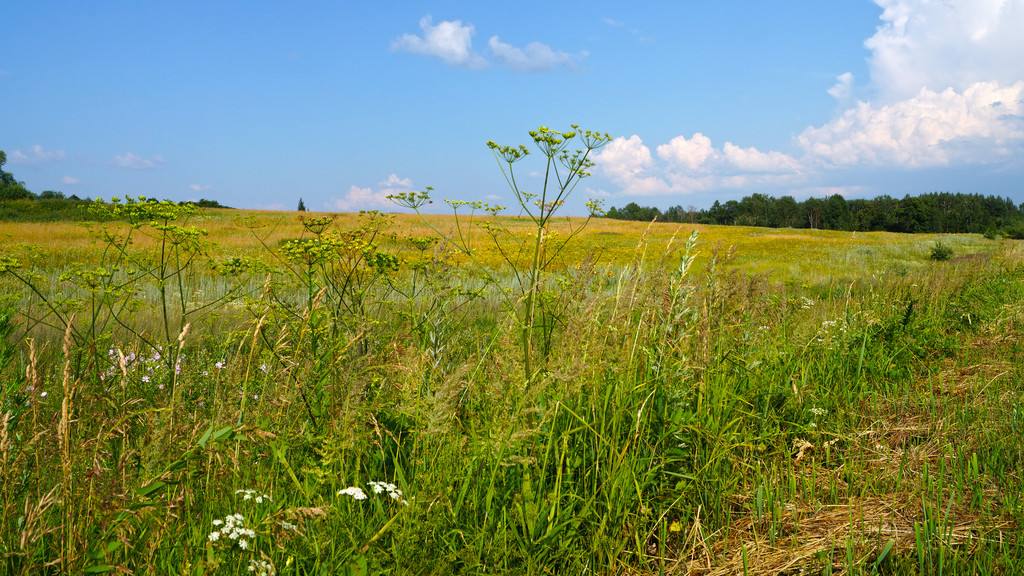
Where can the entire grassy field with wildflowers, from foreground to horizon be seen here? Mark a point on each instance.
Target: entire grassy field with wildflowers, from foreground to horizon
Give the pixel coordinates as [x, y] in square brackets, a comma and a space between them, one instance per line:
[359, 397]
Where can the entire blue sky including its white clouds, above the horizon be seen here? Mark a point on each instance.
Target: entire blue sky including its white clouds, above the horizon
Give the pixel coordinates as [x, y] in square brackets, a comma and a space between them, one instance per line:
[260, 104]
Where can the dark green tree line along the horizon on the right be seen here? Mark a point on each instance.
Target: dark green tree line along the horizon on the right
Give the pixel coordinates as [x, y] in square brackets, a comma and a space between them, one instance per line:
[934, 213]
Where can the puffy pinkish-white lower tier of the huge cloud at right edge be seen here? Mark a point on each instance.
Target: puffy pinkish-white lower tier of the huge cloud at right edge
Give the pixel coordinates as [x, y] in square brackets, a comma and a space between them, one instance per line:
[980, 124]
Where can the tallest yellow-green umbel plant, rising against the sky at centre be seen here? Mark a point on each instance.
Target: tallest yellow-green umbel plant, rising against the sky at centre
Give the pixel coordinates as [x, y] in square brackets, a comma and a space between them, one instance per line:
[568, 158]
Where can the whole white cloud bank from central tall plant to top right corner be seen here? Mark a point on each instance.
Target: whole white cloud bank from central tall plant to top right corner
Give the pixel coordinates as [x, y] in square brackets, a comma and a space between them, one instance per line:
[947, 89]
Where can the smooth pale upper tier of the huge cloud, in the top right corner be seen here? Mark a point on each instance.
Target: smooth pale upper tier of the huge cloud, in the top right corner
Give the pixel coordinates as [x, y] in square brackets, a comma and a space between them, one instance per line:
[946, 45]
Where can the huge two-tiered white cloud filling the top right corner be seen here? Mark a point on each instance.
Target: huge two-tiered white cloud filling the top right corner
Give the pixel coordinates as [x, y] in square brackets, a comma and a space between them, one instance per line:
[949, 88]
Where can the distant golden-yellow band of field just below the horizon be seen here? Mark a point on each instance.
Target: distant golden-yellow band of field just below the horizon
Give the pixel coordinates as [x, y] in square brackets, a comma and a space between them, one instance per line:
[788, 256]
